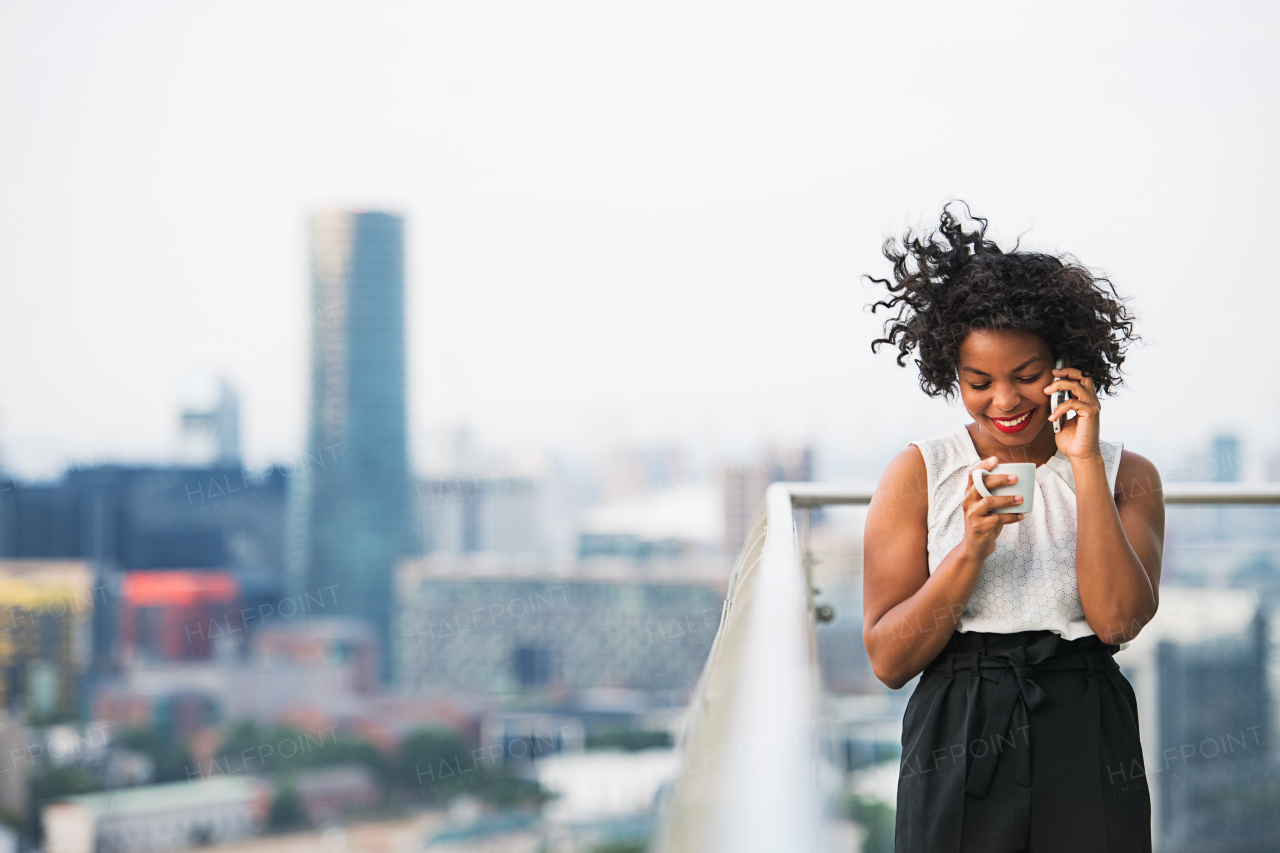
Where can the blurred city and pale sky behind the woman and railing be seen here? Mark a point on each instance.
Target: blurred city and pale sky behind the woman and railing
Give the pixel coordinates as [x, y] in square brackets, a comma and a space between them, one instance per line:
[405, 521]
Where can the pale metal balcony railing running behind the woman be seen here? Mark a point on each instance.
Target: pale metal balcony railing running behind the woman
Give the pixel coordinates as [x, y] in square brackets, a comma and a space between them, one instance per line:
[748, 776]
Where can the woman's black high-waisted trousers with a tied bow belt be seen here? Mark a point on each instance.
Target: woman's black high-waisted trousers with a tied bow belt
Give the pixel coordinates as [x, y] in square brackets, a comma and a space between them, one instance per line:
[1023, 743]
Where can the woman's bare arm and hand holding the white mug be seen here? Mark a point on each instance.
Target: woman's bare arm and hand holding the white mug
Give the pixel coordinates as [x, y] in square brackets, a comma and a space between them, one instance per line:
[908, 614]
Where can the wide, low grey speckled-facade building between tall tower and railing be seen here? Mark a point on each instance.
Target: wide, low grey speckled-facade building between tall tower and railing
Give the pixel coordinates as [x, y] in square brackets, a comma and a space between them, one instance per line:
[520, 627]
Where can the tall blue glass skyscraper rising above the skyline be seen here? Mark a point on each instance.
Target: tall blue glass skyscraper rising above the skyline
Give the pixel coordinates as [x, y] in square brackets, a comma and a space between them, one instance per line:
[354, 512]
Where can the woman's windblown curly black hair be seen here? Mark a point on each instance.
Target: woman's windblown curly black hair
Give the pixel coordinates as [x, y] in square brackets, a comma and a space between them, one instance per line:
[953, 282]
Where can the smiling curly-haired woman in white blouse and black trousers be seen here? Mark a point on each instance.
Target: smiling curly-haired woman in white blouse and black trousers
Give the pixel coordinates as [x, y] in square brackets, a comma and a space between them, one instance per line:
[1022, 733]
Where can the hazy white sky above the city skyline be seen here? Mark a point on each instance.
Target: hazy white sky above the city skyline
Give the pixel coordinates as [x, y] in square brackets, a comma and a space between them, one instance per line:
[628, 223]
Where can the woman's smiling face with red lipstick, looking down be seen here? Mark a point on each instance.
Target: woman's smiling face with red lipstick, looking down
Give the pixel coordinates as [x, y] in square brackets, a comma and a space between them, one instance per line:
[1003, 378]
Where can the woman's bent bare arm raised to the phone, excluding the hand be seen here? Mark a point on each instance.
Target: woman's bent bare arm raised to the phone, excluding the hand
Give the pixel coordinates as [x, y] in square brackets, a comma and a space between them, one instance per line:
[1119, 545]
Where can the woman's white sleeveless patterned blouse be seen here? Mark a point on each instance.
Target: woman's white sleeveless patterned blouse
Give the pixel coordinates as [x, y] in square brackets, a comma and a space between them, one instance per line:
[1028, 582]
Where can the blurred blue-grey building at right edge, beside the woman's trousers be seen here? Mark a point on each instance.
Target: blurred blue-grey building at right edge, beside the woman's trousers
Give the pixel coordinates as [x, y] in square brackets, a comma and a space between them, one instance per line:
[1206, 688]
